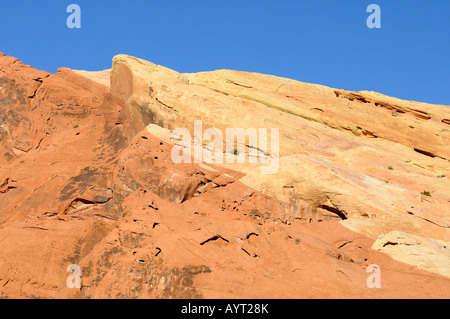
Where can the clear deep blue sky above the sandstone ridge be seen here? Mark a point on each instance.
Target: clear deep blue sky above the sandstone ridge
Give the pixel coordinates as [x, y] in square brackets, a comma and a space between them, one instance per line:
[318, 41]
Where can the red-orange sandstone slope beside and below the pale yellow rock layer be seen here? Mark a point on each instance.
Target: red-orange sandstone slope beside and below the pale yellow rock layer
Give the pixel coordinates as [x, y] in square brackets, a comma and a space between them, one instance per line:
[82, 181]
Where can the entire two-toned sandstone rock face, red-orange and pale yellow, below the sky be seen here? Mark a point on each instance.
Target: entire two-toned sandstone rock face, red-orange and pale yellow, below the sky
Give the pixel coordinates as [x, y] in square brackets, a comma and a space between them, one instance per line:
[87, 178]
